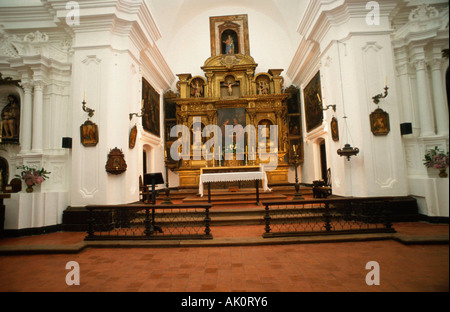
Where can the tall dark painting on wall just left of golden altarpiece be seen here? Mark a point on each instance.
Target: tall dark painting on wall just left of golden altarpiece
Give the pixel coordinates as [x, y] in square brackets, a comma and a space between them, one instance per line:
[150, 102]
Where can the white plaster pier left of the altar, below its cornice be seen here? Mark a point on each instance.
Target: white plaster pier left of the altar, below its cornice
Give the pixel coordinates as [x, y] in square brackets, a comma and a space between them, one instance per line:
[110, 80]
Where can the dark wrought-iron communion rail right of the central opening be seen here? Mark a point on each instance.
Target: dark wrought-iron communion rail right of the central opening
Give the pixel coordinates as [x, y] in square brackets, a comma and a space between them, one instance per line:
[328, 216]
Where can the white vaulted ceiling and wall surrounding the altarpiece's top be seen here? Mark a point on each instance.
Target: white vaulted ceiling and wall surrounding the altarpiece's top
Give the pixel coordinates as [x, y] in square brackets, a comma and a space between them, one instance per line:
[184, 27]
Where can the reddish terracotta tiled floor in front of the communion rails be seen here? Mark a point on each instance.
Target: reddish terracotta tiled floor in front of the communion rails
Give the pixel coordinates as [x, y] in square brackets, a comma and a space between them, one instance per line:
[277, 268]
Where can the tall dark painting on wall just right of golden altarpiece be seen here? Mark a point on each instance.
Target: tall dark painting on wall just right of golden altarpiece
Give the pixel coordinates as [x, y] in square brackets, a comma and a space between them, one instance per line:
[313, 103]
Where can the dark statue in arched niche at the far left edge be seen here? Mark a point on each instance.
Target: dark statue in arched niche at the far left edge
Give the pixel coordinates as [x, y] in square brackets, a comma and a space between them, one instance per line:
[10, 123]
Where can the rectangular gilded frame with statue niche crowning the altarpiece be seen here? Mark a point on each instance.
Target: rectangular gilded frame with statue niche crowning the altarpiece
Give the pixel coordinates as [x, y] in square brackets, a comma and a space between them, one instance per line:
[229, 35]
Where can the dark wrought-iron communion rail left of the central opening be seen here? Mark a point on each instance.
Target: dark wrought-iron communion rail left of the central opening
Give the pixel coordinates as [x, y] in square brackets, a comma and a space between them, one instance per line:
[146, 221]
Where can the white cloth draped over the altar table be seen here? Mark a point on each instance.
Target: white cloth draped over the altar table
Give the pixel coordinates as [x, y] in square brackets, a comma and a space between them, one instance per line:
[232, 177]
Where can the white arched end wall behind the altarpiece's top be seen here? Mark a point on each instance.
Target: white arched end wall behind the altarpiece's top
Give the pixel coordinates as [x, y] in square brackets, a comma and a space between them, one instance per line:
[189, 48]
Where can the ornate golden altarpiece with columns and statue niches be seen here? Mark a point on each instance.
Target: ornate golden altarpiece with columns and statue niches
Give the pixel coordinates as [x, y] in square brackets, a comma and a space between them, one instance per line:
[230, 90]
